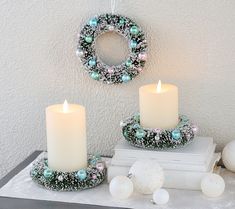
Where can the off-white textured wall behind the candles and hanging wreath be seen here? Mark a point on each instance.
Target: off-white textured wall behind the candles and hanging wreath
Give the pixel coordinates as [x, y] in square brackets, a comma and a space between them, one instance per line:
[191, 44]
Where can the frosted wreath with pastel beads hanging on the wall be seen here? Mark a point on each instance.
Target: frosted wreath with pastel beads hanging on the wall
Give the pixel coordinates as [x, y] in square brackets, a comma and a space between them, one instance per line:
[97, 69]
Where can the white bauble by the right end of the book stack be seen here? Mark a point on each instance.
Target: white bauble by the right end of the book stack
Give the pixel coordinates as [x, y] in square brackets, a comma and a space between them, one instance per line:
[212, 185]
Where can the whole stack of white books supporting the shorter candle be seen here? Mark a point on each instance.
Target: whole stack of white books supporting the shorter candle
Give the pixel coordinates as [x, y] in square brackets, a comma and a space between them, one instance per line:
[183, 167]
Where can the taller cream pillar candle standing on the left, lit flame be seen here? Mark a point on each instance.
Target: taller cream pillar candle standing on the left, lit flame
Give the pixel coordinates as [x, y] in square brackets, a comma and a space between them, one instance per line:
[66, 137]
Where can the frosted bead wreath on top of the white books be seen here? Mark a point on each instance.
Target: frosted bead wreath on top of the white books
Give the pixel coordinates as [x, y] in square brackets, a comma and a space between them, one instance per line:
[159, 139]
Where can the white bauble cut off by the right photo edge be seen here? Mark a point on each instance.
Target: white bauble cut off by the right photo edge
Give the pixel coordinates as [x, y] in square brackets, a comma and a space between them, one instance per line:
[228, 156]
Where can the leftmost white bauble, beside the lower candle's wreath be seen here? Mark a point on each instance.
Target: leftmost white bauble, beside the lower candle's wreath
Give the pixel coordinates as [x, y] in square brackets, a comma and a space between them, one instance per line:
[121, 187]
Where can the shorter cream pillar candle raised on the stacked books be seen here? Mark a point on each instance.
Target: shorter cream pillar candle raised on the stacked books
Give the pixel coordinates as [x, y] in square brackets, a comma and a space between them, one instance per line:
[158, 106]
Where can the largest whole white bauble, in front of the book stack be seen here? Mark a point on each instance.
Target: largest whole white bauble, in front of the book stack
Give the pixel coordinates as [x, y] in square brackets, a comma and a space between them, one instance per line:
[147, 176]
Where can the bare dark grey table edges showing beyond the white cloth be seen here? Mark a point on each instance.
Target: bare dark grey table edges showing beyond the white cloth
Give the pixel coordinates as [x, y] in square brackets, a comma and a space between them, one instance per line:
[18, 203]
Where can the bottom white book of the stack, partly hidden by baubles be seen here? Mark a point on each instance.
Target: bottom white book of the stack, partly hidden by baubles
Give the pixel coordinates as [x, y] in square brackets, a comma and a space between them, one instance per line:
[174, 179]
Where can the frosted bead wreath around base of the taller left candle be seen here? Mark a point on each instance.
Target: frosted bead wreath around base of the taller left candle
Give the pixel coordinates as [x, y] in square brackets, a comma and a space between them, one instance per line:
[82, 179]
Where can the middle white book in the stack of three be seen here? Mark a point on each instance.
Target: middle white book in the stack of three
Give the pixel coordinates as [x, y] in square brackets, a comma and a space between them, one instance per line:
[187, 166]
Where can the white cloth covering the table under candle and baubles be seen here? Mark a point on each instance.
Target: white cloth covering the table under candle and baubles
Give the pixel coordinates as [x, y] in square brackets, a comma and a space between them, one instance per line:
[21, 186]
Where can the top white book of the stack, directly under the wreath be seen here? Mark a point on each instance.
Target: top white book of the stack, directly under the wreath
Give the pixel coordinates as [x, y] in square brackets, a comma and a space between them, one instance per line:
[197, 152]
